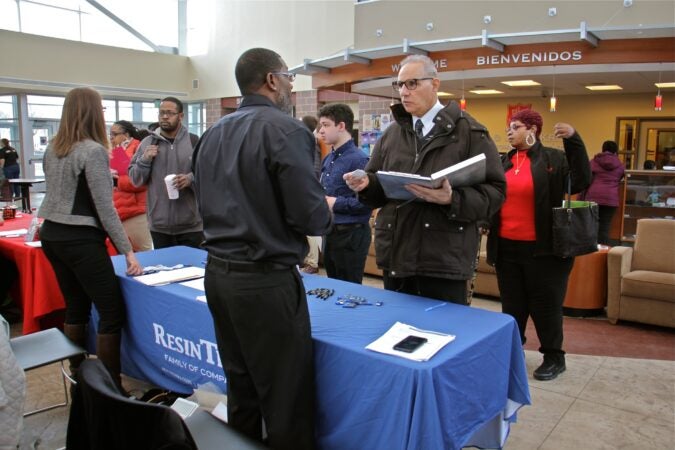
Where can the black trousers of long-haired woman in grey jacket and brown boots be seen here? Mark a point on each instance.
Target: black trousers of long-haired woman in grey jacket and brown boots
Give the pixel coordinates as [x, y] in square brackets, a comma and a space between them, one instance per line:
[85, 274]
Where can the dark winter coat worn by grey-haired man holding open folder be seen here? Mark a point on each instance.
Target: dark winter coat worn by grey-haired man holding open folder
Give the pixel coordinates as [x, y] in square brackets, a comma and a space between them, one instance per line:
[427, 239]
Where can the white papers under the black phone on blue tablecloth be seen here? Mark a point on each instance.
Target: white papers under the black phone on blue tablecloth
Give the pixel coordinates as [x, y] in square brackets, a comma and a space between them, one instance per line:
[399, 331]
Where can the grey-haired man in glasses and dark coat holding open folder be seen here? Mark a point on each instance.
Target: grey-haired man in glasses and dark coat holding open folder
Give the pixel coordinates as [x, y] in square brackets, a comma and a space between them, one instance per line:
[428, 247]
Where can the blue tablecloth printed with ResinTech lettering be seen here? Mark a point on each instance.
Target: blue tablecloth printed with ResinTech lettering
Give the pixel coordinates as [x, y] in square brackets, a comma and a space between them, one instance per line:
[465, 395]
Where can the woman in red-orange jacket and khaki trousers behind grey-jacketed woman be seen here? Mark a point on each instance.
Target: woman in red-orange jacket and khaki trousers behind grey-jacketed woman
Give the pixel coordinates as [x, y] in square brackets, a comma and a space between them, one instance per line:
[130, 201]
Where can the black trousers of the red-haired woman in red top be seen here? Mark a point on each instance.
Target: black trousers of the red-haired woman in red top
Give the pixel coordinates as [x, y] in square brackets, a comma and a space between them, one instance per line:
[533, 286]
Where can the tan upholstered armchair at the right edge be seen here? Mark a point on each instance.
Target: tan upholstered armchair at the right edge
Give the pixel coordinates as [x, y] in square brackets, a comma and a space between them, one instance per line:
[641, 279]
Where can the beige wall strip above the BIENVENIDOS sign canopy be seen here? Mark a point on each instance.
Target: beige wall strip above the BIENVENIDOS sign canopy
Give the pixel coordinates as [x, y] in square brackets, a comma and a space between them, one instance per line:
[400, 19]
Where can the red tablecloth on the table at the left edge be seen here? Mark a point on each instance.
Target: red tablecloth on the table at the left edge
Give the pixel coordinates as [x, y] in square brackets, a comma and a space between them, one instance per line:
[37, 288]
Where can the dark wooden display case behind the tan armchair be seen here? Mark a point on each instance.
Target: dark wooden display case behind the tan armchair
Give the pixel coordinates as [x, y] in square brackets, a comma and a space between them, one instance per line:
[646, 194]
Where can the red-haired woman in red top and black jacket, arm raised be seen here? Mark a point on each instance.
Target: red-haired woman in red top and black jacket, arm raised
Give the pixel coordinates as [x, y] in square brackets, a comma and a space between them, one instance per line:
[532, 281]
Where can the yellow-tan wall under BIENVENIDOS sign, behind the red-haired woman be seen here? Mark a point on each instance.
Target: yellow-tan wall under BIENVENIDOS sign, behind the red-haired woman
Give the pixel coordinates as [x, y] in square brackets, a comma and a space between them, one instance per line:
[594, 116]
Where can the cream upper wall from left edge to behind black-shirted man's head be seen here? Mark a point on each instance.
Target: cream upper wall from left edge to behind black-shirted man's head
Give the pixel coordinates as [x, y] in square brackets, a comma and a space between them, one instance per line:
[295, 29]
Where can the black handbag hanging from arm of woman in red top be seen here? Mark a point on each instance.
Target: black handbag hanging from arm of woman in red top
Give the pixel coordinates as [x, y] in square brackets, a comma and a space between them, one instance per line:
[575, 227]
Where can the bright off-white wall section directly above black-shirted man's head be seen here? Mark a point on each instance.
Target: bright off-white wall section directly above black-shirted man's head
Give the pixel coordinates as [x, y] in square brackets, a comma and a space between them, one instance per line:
[294, 29]
